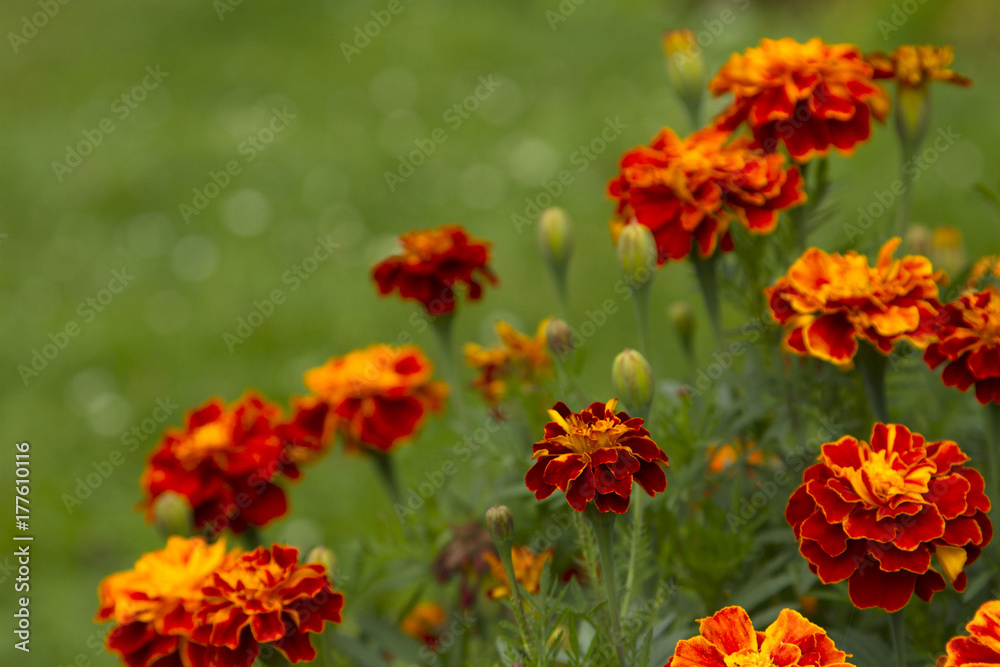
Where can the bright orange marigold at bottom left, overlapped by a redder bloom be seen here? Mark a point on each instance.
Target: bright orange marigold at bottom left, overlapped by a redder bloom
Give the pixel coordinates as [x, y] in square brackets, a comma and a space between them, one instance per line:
[152, 605]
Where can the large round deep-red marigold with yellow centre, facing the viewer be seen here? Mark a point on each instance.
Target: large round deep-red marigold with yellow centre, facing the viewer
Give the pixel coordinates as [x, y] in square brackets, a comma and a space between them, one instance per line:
[875, 514]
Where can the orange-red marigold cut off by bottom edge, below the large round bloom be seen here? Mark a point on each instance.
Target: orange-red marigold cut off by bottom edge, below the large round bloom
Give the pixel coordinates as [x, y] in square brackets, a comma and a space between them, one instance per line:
[728, 639]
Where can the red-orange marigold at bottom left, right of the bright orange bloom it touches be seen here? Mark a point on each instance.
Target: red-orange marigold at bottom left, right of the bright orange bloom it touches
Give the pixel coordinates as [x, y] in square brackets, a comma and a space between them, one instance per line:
[263, 597]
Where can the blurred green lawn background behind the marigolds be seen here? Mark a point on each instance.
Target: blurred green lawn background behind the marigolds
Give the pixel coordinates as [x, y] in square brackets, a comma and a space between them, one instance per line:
[348, 119]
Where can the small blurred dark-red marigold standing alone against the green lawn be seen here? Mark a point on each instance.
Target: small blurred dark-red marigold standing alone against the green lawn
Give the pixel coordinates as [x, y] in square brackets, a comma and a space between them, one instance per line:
[433, 262]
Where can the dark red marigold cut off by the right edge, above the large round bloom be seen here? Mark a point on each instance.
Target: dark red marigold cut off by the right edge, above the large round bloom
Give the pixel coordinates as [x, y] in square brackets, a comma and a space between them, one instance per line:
[968, 339]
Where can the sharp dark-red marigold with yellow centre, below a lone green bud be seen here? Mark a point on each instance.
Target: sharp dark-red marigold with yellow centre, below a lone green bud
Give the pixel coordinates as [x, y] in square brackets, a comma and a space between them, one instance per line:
[593, 455]
